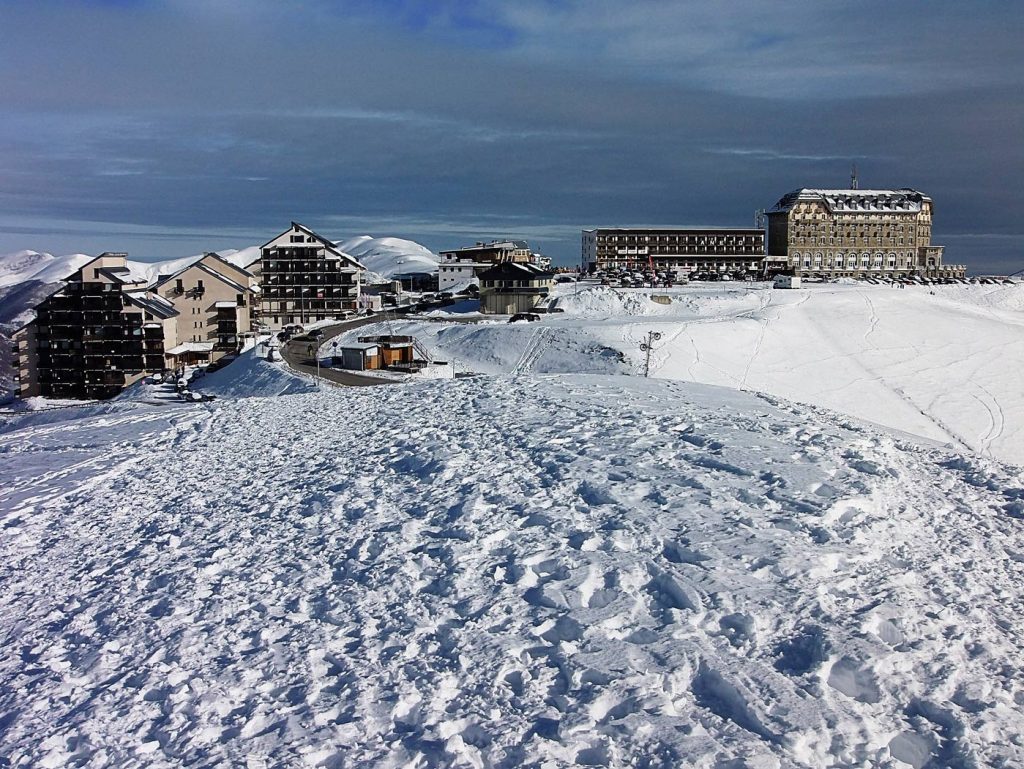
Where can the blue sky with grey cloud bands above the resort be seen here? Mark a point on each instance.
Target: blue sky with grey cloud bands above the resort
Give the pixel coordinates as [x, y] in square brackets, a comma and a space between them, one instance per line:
[166, 127]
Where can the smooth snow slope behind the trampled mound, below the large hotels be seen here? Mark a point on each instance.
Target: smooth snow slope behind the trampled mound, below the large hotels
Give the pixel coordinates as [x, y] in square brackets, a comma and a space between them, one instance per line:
[947, 366]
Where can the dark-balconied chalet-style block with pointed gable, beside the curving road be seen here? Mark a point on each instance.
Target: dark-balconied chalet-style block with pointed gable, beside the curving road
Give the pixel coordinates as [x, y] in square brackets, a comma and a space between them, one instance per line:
[306, 279]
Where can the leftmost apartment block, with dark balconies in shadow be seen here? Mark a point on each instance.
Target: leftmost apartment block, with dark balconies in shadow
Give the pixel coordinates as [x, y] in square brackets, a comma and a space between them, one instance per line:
[101, 332]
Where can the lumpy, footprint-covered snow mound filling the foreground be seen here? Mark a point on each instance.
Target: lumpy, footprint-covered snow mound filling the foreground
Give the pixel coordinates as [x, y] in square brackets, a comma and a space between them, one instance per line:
[505, 572]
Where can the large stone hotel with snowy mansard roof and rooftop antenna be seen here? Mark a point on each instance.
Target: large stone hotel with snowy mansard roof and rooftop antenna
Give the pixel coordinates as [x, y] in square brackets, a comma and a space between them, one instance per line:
[857, 233]
